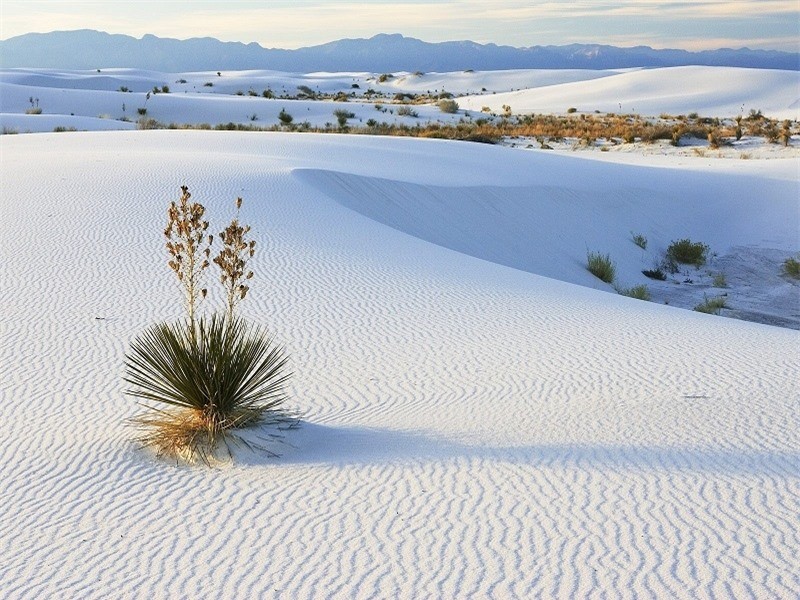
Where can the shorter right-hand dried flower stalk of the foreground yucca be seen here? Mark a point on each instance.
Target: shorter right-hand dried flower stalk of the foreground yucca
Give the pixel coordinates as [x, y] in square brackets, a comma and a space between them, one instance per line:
[232, 261]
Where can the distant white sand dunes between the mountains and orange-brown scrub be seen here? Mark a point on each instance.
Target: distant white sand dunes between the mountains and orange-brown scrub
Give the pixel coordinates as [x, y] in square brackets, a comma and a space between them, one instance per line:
[68, 98]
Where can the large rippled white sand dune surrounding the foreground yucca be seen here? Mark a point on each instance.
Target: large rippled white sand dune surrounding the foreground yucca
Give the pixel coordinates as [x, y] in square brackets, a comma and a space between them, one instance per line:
[471, 428]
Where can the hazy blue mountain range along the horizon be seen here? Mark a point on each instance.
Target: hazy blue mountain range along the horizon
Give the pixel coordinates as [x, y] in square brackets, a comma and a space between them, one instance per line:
[88, 49]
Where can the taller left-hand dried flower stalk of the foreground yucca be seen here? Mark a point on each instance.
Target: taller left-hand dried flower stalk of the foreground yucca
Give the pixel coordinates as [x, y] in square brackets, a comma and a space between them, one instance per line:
[189, 248]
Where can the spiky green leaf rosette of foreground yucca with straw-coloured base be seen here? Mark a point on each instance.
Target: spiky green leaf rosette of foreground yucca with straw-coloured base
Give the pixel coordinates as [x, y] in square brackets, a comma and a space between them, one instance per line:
[228, 374]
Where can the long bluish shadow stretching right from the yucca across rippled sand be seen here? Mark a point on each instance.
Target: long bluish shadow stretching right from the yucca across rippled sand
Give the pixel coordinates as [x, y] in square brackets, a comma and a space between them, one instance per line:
[316, 444]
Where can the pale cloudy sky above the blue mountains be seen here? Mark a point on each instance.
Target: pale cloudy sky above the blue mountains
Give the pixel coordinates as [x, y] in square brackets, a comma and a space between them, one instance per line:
[693, 25]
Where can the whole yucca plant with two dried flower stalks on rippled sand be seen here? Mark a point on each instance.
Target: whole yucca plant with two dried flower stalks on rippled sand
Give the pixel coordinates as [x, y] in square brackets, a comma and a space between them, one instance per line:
[204, 377]
